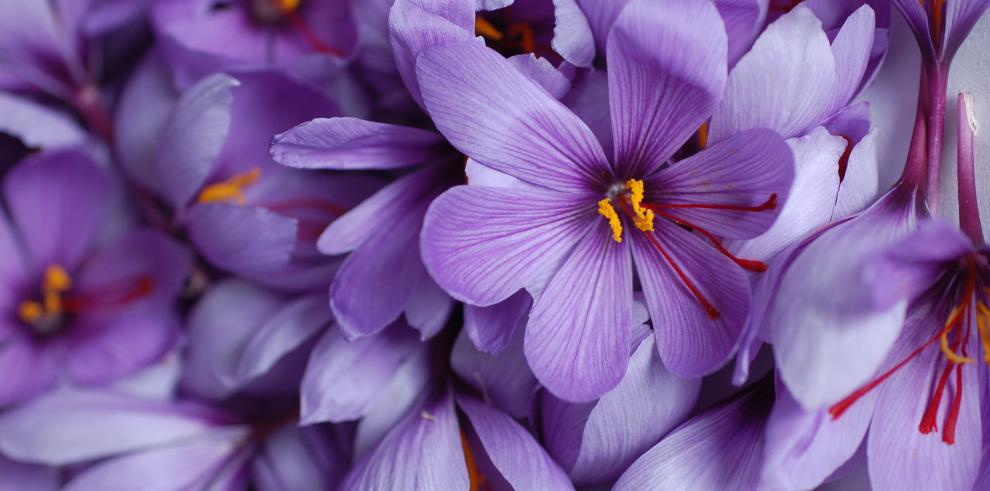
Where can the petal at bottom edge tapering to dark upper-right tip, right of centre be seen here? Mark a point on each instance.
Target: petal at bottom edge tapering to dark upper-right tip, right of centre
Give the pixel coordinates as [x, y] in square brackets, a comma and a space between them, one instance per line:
[719, 449]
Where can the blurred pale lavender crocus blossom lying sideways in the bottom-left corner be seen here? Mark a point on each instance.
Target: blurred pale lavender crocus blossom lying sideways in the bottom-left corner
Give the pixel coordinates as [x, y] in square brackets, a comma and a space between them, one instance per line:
[175, 445]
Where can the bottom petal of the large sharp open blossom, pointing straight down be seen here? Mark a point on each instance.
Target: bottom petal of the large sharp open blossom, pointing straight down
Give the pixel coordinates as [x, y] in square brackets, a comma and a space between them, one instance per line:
[577, 338]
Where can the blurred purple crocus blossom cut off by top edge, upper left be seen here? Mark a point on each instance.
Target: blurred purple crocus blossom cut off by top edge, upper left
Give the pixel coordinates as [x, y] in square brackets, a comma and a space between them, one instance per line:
[201, 37]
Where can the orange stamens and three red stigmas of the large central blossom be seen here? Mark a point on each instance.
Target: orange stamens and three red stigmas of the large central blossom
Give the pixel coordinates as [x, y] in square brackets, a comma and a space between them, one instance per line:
[630, 198]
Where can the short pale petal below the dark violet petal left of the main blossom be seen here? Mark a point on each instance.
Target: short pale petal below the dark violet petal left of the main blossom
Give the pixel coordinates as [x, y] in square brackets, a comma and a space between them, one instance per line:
[345, 378]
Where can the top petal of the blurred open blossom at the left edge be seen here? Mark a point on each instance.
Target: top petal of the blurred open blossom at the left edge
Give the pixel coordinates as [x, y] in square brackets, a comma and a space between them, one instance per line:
[57, 200]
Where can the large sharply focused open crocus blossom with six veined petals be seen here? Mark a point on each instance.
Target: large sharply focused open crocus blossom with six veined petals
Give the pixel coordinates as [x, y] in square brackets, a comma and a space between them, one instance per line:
[570, 223]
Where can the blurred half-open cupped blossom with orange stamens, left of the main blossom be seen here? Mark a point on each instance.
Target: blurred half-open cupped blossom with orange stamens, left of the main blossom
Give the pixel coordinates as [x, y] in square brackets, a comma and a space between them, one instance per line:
[206, 155]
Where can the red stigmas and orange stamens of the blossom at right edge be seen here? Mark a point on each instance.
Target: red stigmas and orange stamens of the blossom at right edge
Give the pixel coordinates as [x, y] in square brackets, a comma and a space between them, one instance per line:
[953, 339]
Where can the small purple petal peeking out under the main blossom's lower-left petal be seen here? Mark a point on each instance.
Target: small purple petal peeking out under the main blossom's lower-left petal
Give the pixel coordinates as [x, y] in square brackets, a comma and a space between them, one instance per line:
[491, 328]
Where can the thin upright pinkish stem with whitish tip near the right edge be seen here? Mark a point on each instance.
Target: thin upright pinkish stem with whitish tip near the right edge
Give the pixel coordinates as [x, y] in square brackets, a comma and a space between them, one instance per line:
[969, 208]
